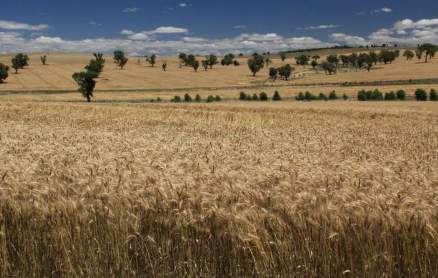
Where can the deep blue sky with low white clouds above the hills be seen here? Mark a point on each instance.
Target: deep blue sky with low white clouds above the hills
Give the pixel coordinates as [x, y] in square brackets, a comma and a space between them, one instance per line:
[199, 26]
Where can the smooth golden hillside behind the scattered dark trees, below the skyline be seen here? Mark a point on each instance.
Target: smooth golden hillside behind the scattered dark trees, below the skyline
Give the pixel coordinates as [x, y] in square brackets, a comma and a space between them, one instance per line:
[57, 74]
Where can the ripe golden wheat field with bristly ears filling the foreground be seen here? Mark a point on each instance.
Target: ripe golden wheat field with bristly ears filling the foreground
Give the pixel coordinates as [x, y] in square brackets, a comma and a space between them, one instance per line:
[339, 189]
